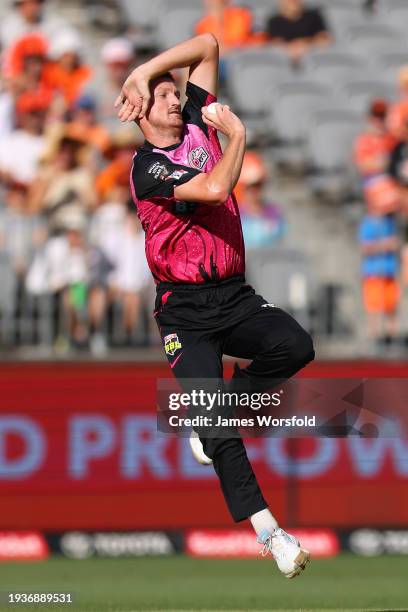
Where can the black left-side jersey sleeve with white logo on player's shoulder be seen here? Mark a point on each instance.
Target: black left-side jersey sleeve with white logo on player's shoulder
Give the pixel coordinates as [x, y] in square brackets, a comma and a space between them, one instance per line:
[155, 176]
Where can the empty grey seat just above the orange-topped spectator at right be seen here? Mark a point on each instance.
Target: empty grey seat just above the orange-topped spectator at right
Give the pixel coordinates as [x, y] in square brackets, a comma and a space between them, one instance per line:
[359, 93]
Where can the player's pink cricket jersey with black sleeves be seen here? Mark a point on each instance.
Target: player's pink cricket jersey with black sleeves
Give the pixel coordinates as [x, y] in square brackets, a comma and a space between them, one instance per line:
[186, 242]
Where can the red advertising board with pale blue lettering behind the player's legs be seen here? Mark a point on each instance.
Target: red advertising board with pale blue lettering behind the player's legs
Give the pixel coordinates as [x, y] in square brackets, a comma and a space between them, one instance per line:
[79, 451]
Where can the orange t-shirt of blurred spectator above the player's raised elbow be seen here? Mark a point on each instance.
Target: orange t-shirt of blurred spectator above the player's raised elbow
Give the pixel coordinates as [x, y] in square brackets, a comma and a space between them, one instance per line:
[234, 29]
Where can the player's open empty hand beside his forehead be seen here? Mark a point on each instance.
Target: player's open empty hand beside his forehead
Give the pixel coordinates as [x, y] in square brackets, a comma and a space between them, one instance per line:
[134, 96]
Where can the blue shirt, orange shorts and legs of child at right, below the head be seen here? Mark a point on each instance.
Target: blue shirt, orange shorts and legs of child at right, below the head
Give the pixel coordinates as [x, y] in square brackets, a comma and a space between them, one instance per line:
[378, 235]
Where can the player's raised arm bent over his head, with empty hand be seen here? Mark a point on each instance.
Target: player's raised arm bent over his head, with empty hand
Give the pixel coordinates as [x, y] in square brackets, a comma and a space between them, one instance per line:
[200, 54]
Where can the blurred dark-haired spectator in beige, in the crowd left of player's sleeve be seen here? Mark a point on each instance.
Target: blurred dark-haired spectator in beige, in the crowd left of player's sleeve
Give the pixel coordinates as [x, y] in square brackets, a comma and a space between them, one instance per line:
[64, 181]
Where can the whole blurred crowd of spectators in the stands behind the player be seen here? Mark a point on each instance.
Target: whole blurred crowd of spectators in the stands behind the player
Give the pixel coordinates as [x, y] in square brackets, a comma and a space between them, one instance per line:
[68, 226]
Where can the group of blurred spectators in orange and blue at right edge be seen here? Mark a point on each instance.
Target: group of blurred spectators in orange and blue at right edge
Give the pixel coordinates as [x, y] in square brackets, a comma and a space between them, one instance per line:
[381, 157]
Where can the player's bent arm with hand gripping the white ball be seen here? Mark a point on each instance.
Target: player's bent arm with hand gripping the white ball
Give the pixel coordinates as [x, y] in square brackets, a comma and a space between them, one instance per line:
[214, 187]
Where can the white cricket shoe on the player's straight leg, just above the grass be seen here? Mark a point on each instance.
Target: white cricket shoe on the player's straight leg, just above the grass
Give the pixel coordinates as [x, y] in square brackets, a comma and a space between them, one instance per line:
[285, 549]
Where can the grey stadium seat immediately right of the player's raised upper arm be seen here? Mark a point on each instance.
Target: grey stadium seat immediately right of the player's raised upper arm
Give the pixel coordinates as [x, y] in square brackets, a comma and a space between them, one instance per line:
[250, 73]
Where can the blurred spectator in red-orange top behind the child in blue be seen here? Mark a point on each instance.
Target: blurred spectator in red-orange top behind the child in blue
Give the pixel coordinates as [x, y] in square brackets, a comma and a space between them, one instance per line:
[373, 146]
